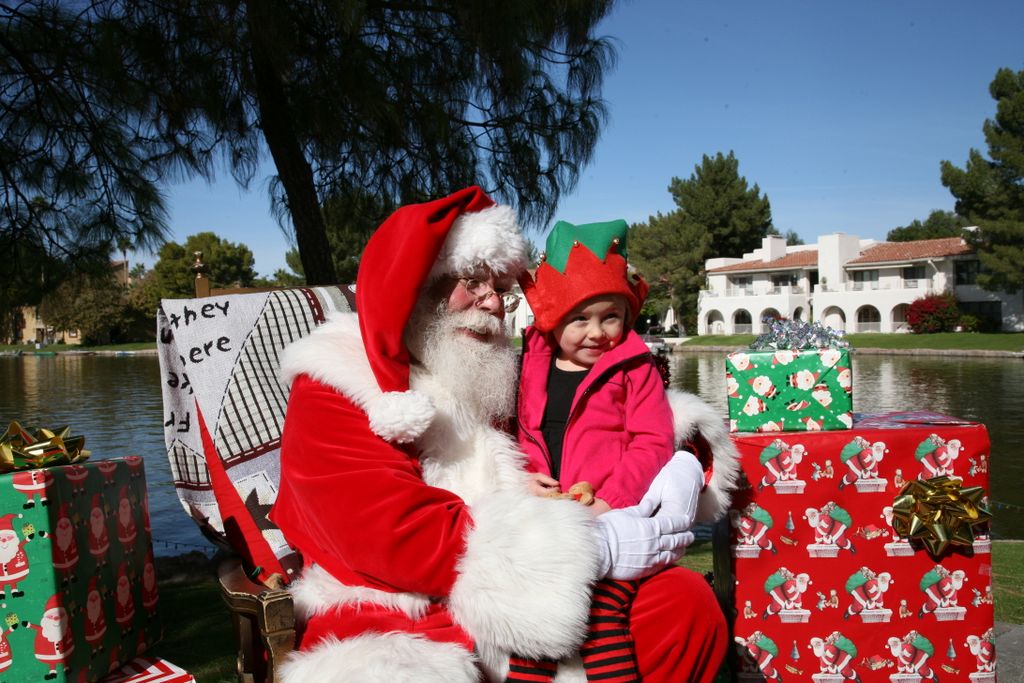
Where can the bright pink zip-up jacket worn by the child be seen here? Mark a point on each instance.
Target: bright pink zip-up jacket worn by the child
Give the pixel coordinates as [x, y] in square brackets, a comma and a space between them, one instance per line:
[620, 431]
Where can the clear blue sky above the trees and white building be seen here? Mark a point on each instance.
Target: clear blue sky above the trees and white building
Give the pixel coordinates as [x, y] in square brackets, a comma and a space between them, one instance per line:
[840, 112]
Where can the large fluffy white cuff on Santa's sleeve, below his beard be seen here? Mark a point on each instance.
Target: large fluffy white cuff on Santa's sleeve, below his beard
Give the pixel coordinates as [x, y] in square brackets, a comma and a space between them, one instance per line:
[525, 583]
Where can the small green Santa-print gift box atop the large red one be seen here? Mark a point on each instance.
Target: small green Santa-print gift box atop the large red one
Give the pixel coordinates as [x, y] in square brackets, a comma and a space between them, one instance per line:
[790, 390]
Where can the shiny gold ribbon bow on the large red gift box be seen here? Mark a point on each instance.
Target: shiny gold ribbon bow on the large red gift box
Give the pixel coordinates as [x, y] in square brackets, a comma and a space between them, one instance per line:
[938, 513]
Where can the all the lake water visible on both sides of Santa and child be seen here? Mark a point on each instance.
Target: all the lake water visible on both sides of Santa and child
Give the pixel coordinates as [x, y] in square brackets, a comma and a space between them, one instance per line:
[115, 403]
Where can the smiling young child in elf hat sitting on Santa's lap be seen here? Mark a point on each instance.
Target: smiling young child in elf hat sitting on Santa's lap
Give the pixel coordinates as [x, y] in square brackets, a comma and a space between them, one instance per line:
[592, 409]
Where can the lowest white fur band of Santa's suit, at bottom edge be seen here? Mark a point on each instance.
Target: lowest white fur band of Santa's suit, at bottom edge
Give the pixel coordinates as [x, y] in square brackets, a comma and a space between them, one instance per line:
[381, 658]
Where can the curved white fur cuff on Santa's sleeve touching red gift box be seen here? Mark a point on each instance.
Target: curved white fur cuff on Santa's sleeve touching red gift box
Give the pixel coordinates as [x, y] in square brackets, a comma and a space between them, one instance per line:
[692, 415]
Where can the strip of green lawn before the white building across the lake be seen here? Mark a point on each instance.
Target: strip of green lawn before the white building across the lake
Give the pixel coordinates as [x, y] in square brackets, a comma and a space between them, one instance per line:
[1004, 341]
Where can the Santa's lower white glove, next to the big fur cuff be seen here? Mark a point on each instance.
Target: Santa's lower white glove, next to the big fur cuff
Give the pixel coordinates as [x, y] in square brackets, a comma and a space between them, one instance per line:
[632, 544]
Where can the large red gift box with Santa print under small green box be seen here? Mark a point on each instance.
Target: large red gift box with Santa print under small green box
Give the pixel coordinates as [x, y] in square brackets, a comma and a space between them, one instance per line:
[823, 586]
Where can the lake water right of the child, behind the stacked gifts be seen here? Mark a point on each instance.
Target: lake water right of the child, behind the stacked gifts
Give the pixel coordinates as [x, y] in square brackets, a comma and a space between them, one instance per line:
[990, 391]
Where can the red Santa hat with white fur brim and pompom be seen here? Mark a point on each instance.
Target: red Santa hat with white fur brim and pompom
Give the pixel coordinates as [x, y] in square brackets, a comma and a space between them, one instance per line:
[459, 235]
